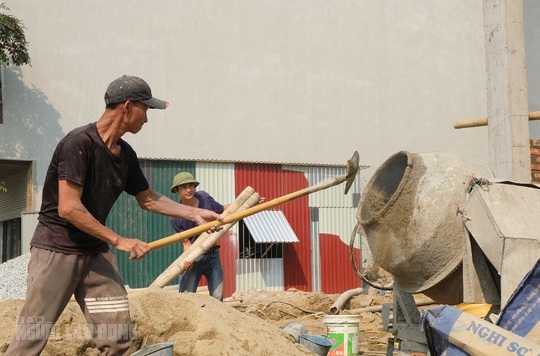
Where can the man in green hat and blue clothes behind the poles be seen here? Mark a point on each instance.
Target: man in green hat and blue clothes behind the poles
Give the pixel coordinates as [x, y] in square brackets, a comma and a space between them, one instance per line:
[209, 264]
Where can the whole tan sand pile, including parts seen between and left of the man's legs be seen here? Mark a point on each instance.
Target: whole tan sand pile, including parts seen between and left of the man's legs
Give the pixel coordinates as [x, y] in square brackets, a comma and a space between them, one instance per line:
[197, 325]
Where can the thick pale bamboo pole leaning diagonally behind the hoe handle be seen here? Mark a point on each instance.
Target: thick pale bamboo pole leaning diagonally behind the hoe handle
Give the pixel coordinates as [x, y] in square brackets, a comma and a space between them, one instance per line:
[245, 200]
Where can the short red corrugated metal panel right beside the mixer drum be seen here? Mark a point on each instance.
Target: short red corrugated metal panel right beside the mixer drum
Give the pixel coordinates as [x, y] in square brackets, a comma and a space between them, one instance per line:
[337, 273]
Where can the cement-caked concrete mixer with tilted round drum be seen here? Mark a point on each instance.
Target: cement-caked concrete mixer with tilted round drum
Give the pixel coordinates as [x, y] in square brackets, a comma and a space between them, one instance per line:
[447, 229]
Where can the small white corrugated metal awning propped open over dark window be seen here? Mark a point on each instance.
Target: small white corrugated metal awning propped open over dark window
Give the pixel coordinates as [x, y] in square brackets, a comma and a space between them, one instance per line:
[270, 226]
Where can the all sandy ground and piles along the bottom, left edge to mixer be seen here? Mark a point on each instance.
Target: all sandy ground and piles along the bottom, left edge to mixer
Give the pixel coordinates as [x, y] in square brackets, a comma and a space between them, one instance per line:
[248, 323]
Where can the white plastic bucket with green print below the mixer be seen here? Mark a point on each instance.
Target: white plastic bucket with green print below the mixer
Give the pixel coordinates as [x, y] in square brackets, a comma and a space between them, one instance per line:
[343, 331]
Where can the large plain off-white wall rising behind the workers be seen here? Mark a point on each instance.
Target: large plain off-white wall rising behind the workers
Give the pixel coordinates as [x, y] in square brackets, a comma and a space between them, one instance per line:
[302, 81]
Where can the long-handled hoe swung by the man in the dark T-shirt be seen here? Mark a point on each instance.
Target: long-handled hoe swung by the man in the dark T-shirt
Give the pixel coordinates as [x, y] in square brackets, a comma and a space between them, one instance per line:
[352, 169]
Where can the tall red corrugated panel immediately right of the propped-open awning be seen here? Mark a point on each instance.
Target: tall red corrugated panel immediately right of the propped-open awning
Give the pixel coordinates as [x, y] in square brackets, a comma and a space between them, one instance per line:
[296, 259]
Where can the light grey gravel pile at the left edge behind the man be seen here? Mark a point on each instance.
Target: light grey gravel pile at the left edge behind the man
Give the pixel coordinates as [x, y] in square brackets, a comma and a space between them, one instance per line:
[13, 277]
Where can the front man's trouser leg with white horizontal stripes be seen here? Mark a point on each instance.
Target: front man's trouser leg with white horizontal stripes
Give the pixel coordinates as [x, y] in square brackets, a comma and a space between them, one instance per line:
[104, 302]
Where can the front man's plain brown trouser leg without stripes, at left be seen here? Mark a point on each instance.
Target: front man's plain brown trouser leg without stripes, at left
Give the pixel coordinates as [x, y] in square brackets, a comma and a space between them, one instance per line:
[52, 279]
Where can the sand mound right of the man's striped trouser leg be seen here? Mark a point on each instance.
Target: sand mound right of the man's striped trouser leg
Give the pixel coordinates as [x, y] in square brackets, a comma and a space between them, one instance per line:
[201, 325]
